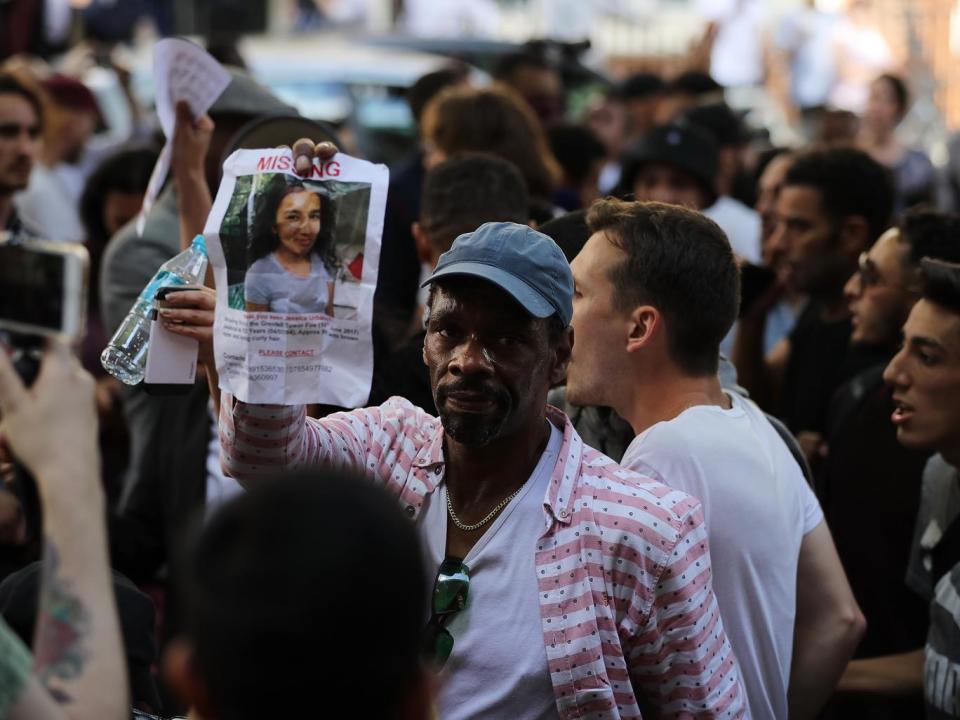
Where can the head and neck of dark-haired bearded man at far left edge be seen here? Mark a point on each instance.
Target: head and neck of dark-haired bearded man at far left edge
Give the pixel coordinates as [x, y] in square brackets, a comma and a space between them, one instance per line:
[20, 124]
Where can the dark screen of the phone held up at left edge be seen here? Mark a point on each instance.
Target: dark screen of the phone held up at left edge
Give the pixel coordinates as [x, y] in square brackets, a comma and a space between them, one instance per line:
[31, 287]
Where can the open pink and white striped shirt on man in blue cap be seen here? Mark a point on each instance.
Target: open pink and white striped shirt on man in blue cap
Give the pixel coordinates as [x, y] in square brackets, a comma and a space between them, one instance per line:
[629, 617]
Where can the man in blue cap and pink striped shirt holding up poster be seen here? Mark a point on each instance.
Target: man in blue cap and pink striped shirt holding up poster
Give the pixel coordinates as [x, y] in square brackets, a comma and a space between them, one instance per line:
[566, 585]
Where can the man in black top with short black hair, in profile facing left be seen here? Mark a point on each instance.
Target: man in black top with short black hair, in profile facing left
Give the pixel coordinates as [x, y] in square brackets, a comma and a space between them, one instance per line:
[833, 204]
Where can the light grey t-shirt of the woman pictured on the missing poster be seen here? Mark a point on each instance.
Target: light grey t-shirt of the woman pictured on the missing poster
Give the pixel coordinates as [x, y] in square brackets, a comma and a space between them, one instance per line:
[269, 283]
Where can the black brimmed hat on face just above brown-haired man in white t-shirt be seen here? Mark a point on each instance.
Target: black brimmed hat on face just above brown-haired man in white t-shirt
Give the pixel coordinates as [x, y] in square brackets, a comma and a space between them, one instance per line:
[682, 146]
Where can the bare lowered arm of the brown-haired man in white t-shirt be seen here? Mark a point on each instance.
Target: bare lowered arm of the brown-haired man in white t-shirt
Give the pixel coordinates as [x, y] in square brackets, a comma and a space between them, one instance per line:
[828, 626]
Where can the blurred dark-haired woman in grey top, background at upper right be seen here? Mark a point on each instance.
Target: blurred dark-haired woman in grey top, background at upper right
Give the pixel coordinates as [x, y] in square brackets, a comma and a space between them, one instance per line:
[913, 174]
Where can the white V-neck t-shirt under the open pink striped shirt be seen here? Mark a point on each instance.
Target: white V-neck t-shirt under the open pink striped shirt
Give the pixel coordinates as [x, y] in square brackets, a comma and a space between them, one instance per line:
[498, 667]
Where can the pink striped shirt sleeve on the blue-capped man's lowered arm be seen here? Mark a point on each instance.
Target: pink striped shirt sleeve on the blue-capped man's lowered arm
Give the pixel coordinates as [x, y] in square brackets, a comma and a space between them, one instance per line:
[681, 660]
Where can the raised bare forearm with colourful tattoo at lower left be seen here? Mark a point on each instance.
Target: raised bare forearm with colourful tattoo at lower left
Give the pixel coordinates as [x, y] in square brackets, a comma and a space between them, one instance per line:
[52, 430]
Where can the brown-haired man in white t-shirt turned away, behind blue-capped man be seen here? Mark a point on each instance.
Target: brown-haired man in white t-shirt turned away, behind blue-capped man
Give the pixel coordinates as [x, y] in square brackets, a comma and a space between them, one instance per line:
[656, 289]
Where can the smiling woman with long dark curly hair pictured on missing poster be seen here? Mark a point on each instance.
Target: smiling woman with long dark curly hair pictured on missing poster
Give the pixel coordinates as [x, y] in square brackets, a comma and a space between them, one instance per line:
[291, 271]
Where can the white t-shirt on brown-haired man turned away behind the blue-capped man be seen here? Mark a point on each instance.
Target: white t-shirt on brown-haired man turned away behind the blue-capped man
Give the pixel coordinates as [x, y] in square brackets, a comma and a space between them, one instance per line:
[757, 507]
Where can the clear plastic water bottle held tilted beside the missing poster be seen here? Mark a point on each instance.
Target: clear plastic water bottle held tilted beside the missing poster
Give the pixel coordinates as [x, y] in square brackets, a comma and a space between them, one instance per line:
[126, 354]
